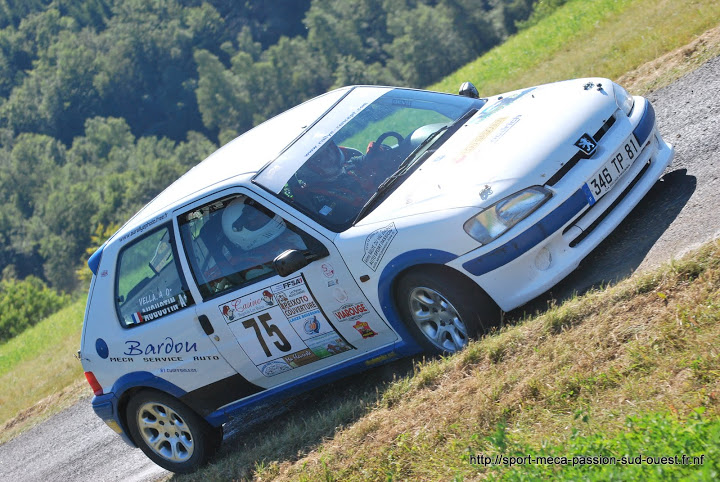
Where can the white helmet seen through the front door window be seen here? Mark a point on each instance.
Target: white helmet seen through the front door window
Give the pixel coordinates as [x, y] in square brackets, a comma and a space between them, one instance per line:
[248, 227]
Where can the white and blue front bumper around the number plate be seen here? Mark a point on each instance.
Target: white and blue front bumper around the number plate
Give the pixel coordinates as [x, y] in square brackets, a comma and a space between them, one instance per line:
[551, 243]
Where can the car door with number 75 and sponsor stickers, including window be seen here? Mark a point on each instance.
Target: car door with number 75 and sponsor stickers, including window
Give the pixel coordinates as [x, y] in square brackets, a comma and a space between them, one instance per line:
[273, 329]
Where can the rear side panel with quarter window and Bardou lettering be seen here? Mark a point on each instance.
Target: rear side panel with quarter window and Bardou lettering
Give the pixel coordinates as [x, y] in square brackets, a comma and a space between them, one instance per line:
[157, 331]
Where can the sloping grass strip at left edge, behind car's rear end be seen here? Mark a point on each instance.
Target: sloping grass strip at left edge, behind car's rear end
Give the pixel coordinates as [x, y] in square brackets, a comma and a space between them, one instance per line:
[40, 362]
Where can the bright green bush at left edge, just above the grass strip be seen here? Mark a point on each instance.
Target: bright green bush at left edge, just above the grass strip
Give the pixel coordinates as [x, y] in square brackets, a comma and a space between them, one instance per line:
[24, 303]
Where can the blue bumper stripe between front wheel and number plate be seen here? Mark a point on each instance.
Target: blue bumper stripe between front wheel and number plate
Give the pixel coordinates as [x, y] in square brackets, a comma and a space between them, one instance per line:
[527, 240]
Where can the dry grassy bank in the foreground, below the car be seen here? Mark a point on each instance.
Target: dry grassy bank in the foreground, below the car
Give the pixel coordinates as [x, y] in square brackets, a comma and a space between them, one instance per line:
[626, 370]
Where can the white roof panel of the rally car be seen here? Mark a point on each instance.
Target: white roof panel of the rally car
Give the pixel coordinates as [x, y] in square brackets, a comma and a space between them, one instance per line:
[241, 157]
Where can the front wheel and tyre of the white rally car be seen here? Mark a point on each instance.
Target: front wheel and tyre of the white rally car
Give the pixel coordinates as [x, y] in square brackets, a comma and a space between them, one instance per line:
[443, 310]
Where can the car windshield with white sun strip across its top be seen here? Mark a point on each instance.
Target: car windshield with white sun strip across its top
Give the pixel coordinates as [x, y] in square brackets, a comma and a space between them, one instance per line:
[337, 165]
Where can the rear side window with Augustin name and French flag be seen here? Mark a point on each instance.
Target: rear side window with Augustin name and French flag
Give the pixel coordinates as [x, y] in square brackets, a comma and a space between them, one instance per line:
[149, 284]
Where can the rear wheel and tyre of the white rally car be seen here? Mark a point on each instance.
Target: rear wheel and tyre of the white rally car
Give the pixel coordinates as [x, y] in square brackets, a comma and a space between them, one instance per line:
[170, 433]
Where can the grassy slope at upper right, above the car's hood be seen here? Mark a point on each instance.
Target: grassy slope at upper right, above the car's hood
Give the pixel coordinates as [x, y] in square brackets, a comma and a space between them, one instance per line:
[588, 38]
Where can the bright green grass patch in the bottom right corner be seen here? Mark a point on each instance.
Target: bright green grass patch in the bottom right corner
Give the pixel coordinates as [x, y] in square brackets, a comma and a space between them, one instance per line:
[650, 437]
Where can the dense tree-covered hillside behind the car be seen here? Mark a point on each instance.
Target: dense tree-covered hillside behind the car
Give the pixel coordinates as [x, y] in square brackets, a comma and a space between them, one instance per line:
[103, 103]
